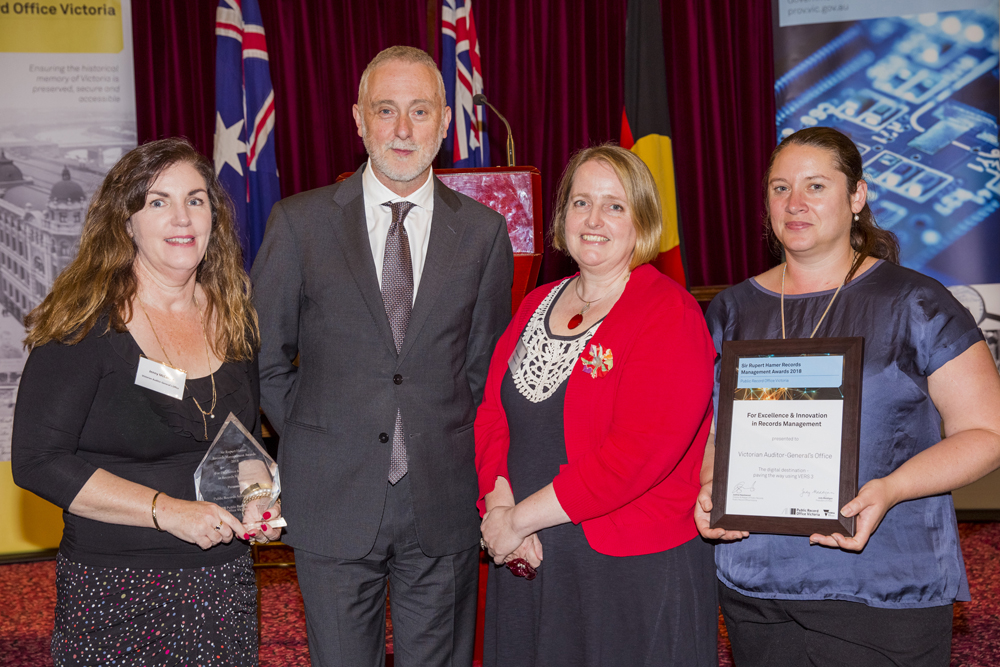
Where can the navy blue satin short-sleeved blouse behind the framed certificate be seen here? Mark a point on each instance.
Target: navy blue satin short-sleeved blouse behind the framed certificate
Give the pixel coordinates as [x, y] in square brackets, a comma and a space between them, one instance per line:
[912, 326]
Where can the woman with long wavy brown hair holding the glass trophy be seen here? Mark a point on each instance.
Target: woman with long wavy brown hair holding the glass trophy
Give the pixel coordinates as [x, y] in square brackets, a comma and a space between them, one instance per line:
[146, 575]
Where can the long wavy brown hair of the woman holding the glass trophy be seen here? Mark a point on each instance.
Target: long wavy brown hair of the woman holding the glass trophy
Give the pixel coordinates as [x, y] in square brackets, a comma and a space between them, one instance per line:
[101, 279]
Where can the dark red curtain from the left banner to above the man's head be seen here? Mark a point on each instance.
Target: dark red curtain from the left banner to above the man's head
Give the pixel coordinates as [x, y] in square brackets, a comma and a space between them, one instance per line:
[317, 51]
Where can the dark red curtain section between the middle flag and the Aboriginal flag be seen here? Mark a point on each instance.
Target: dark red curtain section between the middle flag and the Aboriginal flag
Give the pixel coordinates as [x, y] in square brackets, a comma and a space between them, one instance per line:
[554, 68]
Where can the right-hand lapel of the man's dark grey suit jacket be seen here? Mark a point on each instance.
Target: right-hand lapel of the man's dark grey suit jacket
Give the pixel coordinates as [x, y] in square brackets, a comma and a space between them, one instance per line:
[447, 228]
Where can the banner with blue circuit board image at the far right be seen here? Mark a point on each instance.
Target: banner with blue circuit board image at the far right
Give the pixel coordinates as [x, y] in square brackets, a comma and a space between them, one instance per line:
[919, 94]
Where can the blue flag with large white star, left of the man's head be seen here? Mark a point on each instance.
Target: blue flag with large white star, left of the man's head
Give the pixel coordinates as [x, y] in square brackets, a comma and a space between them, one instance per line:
[244, 121]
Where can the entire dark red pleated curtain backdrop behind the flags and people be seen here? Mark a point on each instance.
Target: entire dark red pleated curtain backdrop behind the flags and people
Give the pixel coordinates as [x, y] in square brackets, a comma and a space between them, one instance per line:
[553, 67]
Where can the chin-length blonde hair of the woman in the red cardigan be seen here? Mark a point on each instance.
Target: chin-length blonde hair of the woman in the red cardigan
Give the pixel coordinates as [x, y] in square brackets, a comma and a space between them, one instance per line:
[641, 194]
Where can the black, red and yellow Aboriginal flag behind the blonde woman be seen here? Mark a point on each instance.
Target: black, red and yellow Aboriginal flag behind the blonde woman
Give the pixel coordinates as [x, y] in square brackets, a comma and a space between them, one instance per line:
[646, 123]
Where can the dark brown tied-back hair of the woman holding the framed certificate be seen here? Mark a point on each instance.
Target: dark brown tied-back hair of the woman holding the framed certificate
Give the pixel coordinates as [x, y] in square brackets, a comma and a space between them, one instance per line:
[867, 238]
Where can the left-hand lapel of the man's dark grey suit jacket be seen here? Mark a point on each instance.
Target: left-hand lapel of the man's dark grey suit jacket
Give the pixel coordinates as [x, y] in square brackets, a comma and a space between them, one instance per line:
[352, 233]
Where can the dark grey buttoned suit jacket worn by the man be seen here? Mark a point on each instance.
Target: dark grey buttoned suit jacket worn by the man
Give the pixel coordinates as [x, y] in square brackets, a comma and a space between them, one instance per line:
[317, 296]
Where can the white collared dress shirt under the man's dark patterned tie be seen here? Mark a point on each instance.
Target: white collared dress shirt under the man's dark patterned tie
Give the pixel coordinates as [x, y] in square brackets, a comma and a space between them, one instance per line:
[417, 222]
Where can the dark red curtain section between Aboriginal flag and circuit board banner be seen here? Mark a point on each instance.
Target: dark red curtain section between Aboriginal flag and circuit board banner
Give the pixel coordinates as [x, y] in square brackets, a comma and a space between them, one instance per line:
[720, 77]
